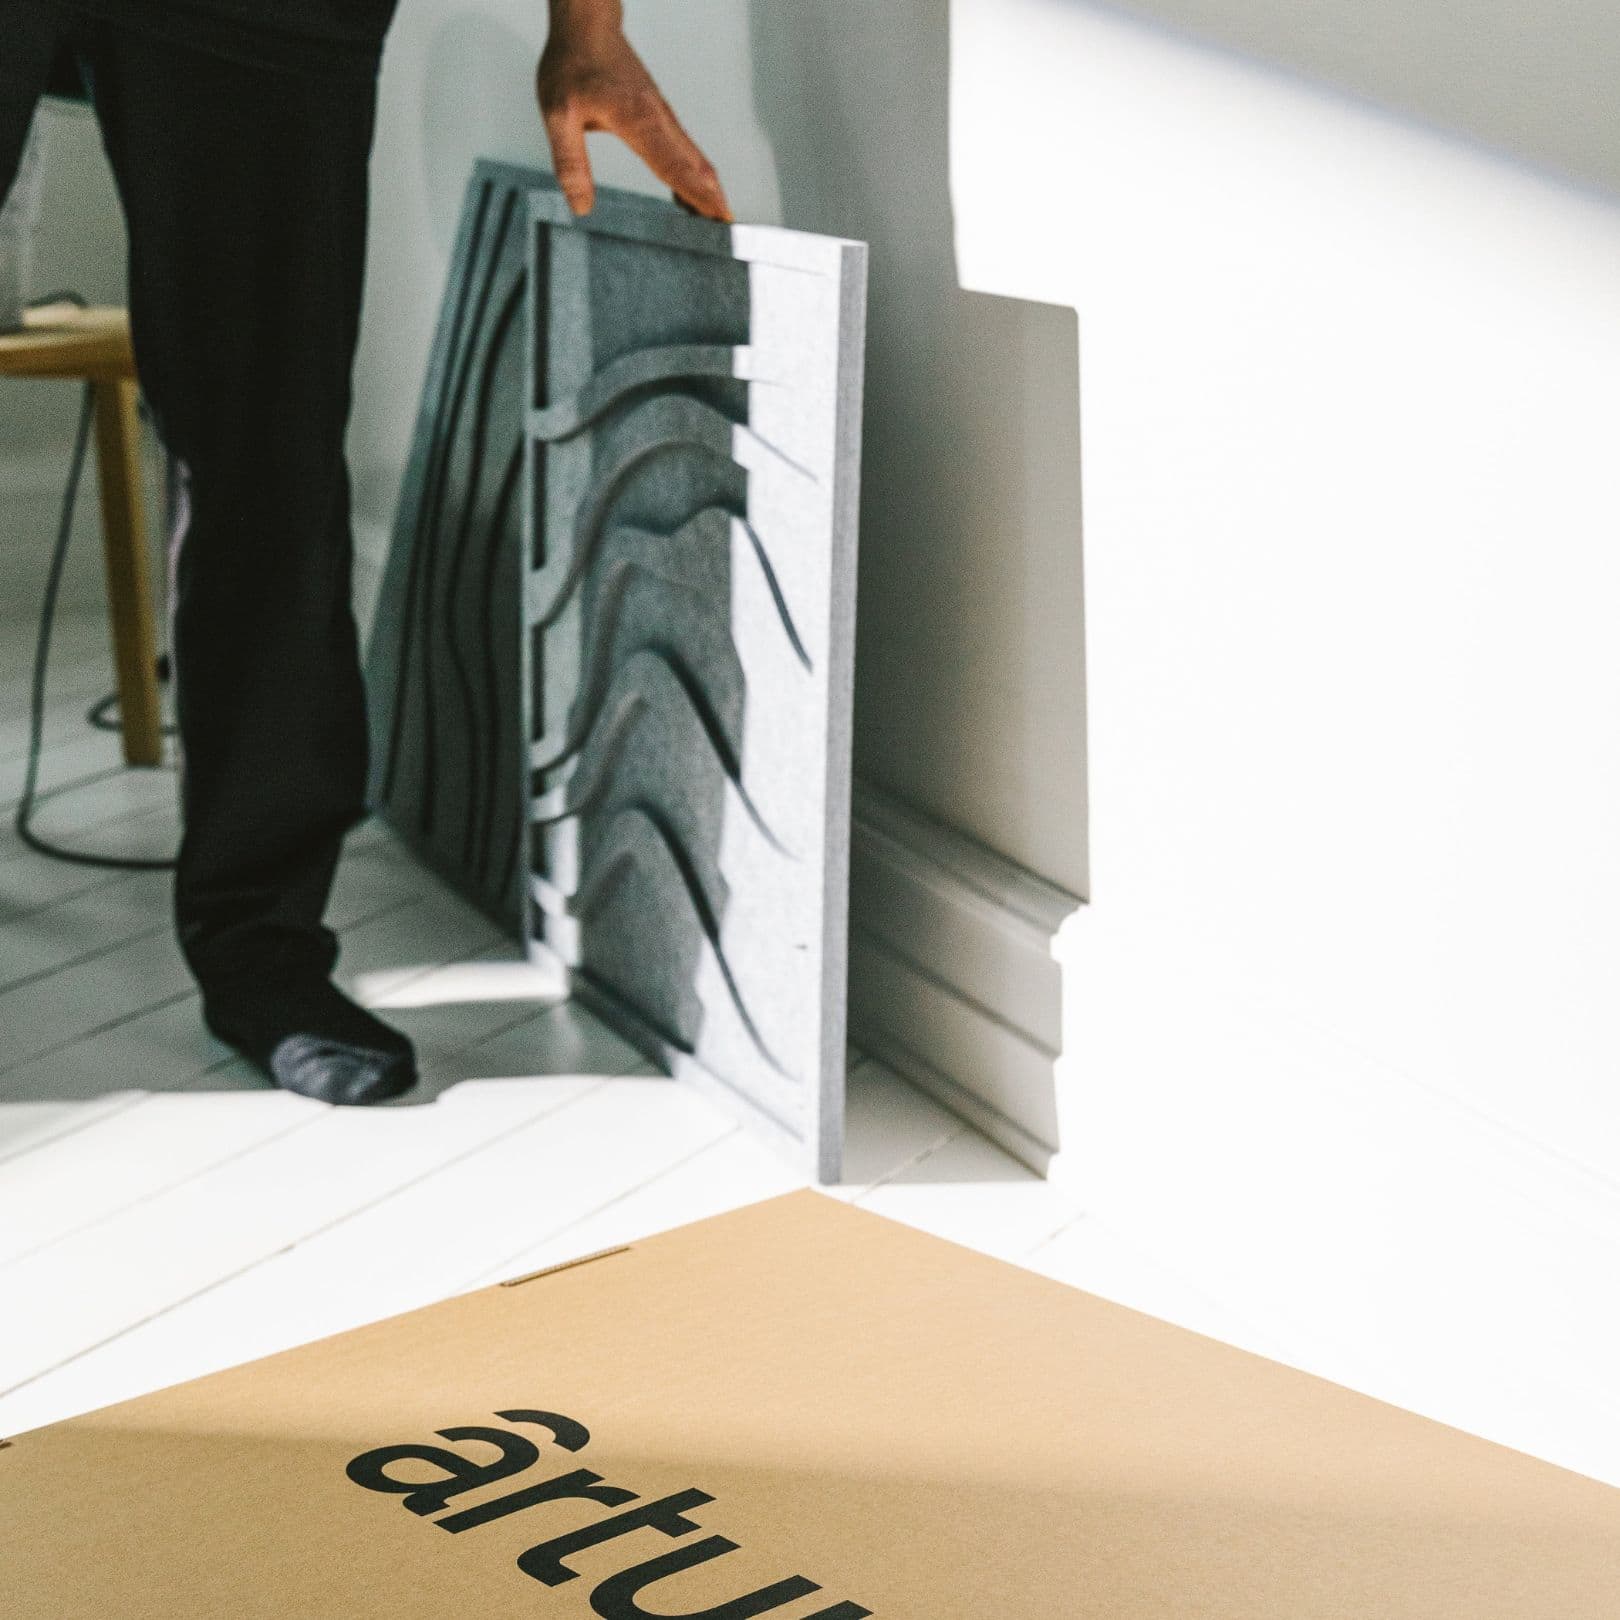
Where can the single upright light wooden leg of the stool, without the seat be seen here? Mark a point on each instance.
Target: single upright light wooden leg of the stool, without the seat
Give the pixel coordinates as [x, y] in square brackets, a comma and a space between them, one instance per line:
[129, 590]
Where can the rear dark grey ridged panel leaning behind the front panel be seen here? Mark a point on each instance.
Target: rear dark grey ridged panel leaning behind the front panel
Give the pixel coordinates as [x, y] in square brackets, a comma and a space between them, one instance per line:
[446, 663]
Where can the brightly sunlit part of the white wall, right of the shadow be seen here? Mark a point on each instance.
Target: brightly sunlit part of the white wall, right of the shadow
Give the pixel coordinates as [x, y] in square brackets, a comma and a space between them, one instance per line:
[1339, 1031]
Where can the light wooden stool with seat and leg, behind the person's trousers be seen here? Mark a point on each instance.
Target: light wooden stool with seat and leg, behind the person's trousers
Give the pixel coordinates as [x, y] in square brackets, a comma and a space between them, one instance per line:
[93, 346]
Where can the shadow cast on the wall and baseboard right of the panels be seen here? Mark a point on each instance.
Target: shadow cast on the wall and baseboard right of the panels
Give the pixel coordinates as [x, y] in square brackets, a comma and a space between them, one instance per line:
[971, 740]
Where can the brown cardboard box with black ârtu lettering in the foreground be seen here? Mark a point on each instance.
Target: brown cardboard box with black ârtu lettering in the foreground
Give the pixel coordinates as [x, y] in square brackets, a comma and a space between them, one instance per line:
[798, 1396]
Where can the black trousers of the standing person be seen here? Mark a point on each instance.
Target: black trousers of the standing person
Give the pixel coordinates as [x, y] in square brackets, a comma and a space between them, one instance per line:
[242, 174]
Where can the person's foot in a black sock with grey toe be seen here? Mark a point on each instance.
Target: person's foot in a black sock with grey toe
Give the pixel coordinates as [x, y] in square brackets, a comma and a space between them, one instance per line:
[309, 1038]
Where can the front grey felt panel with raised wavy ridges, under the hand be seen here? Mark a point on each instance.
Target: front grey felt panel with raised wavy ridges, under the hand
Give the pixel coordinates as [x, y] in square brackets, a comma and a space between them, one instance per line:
[689, 626]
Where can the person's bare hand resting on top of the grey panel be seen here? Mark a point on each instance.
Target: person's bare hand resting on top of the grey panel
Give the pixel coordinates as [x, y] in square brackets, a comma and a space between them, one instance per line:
[592, 80]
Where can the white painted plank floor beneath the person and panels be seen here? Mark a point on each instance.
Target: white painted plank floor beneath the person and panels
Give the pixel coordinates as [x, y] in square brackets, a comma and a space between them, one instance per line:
[164, 1213]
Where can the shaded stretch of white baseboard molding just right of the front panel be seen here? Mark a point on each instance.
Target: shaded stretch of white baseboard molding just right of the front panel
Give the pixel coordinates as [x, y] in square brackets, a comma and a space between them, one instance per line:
[952, 978]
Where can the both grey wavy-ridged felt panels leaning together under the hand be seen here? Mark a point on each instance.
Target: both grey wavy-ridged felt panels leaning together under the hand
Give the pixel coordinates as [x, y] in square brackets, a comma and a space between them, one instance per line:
[613, 659]
